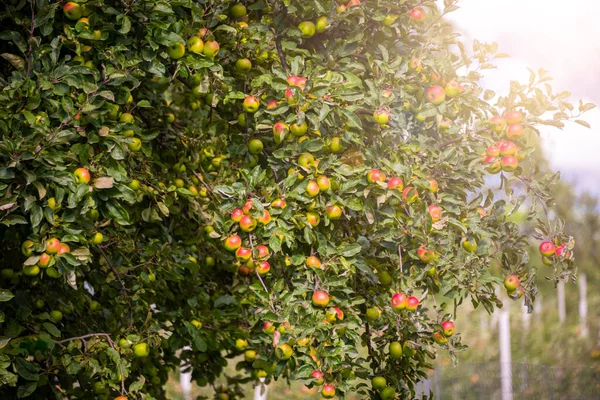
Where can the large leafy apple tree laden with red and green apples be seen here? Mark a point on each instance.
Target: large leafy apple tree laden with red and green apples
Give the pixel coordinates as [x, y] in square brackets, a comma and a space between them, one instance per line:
[307, 189]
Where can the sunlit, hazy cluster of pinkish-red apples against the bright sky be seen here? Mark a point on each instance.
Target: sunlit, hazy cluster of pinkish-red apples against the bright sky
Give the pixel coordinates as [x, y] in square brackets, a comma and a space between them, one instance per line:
[505, 155]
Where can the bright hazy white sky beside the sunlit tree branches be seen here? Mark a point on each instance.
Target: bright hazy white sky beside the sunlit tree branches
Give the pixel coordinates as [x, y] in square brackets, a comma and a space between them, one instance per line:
[563, 37]
